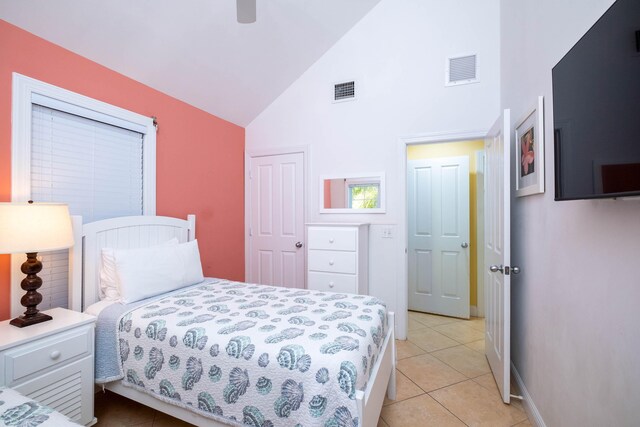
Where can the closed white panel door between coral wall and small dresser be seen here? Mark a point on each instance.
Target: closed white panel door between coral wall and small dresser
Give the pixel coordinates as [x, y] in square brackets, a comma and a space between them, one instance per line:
[276, 230]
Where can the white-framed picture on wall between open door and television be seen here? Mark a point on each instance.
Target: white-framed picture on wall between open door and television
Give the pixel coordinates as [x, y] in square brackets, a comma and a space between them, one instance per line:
[529, 150]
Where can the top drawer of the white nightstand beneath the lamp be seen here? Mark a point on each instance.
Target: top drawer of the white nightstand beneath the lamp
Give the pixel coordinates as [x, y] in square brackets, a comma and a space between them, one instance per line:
[46, 353]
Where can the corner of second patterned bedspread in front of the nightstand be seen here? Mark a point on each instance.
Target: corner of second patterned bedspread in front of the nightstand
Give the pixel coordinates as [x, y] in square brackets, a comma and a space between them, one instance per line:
[20, 411]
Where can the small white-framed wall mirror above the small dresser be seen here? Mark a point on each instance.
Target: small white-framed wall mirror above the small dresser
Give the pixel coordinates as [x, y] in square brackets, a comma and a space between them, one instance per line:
[362, 193]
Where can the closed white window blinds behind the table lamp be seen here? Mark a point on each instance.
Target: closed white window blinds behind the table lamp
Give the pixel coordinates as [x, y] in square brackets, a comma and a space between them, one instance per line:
[95, 168]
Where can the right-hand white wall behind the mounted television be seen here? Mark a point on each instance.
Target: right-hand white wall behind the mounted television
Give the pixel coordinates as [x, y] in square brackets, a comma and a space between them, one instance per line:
[575, 338]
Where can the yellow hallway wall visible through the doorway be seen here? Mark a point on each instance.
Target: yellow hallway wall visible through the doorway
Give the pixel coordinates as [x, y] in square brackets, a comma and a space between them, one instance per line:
[450, 149]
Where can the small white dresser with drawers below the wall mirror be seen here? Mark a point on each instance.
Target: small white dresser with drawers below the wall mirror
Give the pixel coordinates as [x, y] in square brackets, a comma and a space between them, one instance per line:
[338, 257]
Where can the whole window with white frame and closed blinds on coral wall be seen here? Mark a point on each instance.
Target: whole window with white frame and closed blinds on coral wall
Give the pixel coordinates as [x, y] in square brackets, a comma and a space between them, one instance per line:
[95, 157]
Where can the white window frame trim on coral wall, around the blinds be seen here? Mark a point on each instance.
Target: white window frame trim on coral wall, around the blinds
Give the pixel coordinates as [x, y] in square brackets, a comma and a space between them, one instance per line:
[25, 90]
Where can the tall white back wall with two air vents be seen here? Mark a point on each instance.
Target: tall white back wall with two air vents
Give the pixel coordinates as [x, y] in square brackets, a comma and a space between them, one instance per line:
[397, 56]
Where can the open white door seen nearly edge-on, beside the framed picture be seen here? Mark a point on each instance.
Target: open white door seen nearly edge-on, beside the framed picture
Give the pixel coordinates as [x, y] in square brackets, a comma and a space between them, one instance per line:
[497, 253]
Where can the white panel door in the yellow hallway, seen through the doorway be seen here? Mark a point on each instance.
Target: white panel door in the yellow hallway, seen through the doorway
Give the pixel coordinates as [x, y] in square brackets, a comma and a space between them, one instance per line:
[438, 204]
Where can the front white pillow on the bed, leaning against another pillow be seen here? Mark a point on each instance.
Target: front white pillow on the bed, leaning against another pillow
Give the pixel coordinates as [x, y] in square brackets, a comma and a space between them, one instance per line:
[145, 272]
